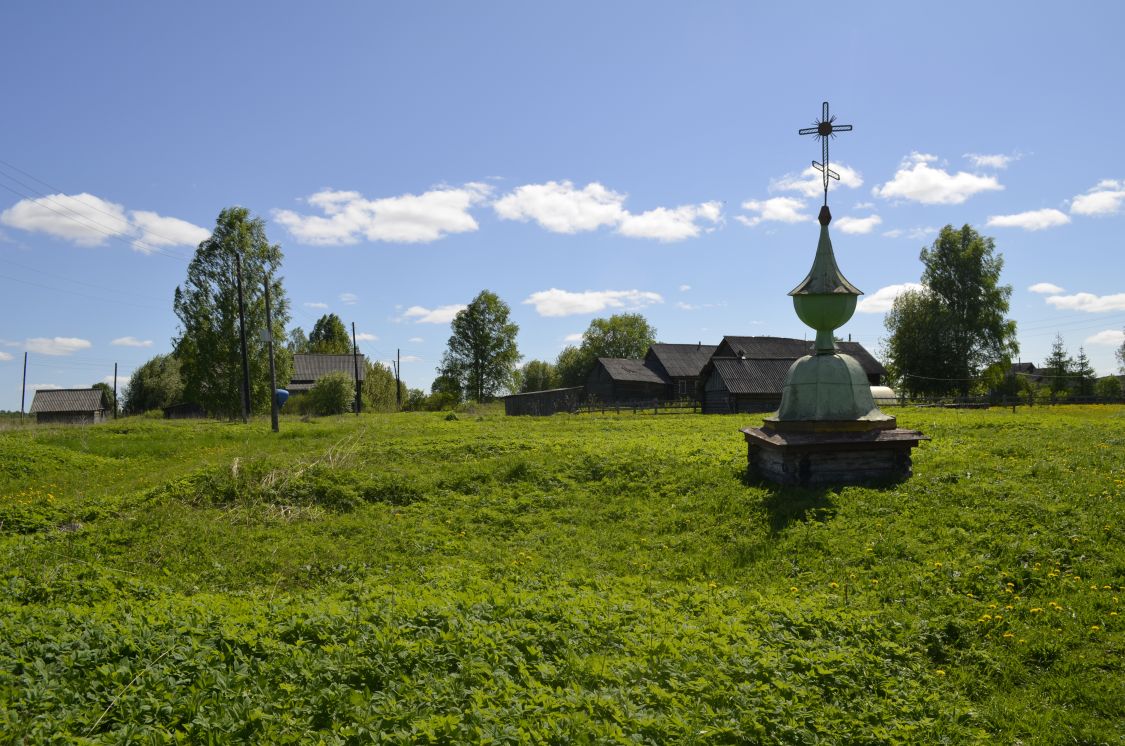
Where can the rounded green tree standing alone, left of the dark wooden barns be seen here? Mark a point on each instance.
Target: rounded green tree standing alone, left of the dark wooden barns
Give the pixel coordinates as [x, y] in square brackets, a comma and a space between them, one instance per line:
[482, 353]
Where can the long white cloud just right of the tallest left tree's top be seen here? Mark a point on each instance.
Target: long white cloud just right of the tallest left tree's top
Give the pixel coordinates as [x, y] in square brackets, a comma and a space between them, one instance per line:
[408, 219]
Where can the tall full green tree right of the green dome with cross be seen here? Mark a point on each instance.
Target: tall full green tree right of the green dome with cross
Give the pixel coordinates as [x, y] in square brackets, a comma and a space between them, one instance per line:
[962, 312]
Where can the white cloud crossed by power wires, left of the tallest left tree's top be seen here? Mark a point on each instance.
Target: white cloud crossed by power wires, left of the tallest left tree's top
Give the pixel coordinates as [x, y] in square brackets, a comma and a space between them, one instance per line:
[89, 221]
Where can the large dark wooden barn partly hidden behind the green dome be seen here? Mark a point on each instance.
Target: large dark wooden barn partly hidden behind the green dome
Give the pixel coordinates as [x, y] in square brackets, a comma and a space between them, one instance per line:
[748, 374]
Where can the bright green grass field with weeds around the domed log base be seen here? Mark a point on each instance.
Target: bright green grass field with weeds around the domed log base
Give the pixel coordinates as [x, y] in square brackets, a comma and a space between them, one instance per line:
[410, 579]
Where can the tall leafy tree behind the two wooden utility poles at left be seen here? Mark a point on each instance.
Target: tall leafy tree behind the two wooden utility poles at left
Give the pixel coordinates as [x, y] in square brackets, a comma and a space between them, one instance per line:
[208, 307]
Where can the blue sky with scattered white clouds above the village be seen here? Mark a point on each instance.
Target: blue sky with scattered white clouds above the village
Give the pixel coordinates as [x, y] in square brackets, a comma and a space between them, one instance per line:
[577, 159]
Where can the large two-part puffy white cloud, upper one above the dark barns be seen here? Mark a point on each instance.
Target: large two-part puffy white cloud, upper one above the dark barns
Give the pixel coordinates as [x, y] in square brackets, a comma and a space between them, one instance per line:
[560, 208]
